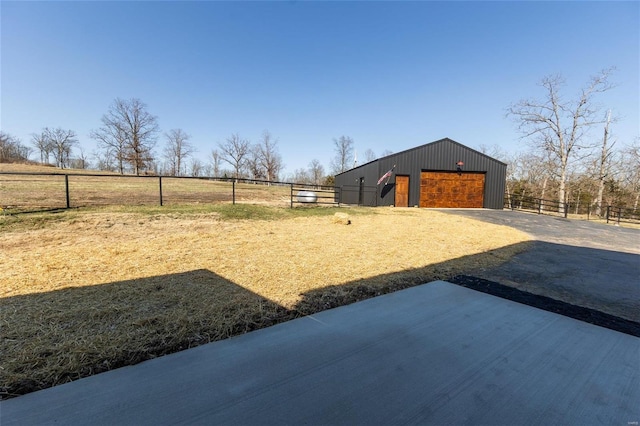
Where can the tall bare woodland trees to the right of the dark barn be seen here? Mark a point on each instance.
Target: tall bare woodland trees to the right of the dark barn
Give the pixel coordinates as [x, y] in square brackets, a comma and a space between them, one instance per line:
[574, 157]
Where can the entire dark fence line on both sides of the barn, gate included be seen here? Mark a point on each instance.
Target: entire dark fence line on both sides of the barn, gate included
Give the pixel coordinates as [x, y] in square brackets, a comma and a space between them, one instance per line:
[25, 191]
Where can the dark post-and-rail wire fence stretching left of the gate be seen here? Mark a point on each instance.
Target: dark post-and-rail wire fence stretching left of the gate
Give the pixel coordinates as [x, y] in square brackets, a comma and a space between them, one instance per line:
[21, 192]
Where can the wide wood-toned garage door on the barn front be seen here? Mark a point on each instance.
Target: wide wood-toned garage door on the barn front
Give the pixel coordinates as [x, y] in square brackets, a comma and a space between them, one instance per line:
[452, 189]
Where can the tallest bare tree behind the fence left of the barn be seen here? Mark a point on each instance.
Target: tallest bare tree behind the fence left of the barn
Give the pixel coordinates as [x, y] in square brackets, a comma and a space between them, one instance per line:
[130, 132]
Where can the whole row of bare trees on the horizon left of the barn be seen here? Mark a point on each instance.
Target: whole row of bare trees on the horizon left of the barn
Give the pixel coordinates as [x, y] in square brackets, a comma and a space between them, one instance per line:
[129, 134]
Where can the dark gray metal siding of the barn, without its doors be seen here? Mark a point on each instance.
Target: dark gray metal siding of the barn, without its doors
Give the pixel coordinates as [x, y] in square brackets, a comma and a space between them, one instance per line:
[441, 155]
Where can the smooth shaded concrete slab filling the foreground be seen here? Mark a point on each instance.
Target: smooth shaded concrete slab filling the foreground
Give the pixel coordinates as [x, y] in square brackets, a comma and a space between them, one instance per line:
[435, 354]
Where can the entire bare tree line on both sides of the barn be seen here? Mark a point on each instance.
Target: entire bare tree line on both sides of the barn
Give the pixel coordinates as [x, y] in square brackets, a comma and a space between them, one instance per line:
[573, 156]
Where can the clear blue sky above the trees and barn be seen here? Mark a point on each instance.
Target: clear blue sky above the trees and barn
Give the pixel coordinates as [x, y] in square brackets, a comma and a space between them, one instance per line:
[391, 75]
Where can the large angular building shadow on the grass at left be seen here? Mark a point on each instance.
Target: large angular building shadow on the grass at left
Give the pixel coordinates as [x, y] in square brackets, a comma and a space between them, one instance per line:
[55, 337]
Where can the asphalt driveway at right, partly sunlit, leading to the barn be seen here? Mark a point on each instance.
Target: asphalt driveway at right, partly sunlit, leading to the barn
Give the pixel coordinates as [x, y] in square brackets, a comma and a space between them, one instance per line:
[579, 262]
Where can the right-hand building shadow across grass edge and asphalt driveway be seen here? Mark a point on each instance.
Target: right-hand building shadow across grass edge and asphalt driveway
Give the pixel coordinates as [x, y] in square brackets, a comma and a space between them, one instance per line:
[591, 285]
